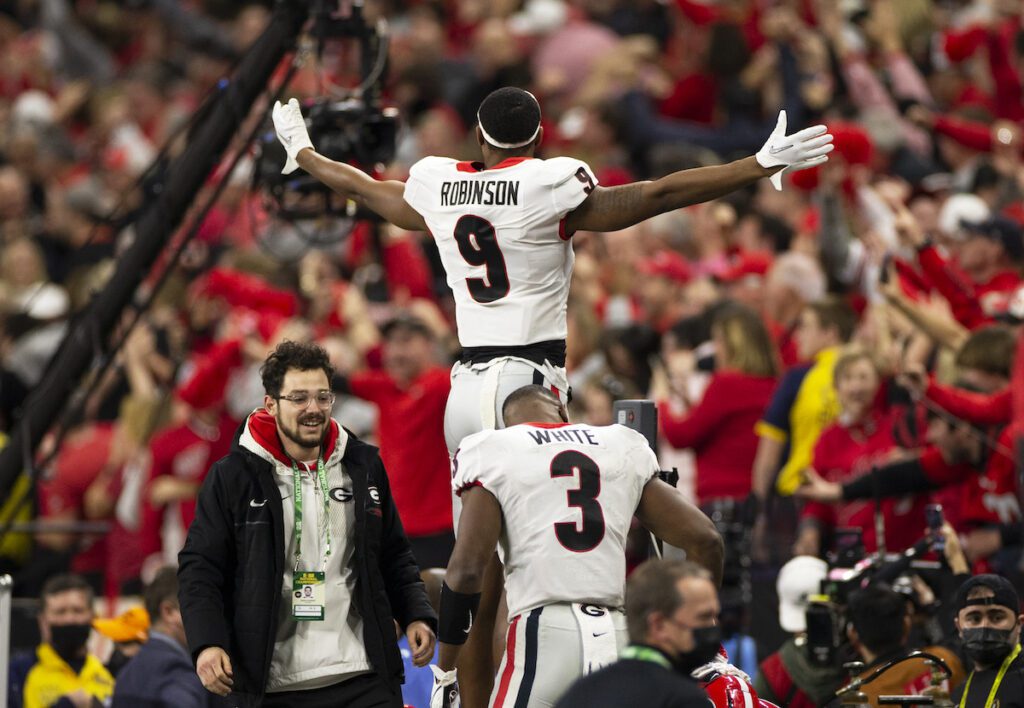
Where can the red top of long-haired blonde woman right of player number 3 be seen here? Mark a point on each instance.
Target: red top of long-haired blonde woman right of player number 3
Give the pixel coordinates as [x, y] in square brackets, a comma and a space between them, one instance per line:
[720, 431]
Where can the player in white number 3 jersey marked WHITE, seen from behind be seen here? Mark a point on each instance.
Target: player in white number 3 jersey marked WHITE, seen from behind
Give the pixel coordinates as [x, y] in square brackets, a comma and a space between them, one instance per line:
[559, 498]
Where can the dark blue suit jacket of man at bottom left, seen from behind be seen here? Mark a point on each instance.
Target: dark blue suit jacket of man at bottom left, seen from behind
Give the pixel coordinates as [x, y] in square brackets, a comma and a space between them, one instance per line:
[161, 676]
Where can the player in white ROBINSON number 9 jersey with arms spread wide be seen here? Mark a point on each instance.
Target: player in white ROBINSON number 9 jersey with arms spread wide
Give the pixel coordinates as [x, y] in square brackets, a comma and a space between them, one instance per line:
[503, 228]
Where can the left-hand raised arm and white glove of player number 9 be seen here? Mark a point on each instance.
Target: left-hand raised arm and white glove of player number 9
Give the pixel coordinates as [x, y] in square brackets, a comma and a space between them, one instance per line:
[382, 197]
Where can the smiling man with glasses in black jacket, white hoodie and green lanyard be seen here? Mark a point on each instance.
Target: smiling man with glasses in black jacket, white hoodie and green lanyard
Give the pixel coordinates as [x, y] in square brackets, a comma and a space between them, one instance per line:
[296, 566]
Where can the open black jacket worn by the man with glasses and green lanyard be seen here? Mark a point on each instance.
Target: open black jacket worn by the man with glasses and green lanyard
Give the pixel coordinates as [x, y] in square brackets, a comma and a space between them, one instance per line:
[233, 563]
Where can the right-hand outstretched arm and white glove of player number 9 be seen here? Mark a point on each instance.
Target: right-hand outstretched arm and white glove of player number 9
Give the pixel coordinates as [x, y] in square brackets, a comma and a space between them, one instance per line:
[619, 207]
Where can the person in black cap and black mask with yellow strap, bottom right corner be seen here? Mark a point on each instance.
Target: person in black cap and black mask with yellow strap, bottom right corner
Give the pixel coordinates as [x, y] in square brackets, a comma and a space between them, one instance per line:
[989, 619]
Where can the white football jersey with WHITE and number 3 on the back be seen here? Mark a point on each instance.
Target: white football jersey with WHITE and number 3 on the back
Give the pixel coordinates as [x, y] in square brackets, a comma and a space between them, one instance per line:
[568, 494]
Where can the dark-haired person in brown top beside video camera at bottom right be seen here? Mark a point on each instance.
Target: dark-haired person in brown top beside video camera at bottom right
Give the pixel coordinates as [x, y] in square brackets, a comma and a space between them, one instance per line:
[879, 622]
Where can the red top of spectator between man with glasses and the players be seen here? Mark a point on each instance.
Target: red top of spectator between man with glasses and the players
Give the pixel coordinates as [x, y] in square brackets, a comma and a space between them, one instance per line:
[411, 432]
